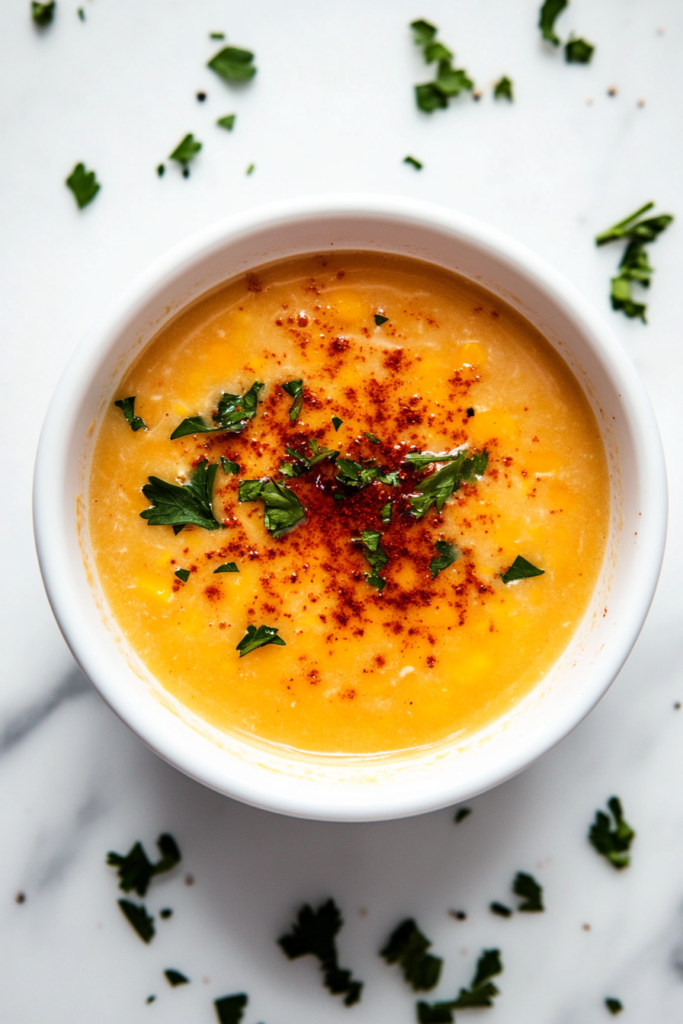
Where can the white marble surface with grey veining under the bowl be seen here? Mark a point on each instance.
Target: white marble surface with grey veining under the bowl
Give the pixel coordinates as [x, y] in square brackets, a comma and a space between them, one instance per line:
[331, 109]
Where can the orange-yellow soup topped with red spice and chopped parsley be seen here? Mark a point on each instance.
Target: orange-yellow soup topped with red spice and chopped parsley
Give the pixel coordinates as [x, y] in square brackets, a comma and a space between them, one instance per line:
[386, 572]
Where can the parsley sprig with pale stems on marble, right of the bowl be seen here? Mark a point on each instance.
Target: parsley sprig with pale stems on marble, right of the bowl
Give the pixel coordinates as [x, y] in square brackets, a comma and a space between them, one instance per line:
[634, 266]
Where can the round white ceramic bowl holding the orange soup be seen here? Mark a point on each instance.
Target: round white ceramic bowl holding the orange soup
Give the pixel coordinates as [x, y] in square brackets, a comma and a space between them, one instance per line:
[365, 788]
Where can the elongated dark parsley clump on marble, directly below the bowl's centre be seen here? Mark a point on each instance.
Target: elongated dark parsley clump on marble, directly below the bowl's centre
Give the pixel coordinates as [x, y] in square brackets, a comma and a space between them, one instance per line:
[314, 934]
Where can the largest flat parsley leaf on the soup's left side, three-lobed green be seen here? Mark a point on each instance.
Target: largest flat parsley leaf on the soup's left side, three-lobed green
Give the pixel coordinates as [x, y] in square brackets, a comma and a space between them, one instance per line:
[183, 506]
